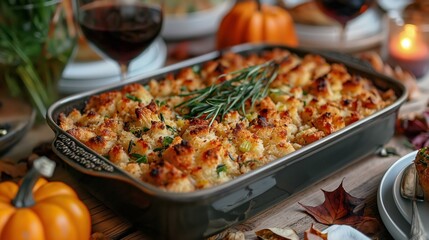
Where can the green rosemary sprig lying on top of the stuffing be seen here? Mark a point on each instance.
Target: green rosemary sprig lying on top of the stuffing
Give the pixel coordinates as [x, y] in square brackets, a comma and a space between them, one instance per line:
[219, 99]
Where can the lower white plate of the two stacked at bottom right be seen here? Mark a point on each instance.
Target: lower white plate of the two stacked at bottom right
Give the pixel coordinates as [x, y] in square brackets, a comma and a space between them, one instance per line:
[395, 223]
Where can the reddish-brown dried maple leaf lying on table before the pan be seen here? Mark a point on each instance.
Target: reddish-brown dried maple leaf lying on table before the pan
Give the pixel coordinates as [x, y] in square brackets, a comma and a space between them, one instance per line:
[340, 207]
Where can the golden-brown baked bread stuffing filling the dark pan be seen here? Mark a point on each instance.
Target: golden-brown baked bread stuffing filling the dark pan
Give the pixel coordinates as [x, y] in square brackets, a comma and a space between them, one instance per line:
[208, 124]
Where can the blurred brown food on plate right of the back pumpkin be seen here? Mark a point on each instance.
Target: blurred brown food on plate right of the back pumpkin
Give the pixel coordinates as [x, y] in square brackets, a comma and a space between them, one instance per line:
[309, 13]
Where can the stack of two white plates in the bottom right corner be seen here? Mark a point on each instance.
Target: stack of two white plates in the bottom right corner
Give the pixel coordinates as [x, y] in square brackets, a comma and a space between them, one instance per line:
[395, 211]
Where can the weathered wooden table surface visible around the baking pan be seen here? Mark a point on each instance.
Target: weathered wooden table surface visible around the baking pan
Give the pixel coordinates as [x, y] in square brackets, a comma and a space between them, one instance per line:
[361, 179]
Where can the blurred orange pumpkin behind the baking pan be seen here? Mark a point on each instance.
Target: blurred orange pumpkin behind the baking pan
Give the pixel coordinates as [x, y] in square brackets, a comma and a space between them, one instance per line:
[251, 21]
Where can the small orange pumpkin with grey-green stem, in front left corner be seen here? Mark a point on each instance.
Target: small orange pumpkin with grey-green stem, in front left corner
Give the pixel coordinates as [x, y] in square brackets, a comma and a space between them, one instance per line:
[42, 210]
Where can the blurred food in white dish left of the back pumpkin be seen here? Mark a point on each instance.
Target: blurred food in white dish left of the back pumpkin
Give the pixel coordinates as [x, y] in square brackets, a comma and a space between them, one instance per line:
[180, 7]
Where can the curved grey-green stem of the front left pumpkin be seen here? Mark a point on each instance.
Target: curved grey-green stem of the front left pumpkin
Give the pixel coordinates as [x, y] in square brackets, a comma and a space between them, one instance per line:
[41, 166]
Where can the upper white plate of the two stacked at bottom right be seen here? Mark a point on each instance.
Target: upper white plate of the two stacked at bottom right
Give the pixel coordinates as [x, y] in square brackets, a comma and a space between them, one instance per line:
[404, 205]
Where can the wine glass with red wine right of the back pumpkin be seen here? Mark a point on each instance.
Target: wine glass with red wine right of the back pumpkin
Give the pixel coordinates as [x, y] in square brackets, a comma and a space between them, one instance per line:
[343, 11]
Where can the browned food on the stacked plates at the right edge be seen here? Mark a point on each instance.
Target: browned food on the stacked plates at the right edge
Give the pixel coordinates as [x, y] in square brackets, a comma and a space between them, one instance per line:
[422, 165]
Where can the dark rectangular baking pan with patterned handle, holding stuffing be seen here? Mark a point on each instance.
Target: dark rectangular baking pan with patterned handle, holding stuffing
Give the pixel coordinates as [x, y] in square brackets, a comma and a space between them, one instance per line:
[202, 213]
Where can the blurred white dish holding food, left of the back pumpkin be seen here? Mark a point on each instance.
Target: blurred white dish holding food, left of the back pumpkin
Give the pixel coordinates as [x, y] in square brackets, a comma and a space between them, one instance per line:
[195, 24]
